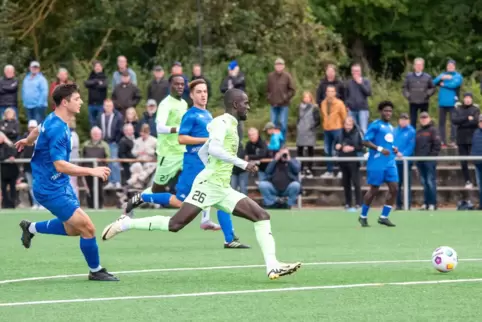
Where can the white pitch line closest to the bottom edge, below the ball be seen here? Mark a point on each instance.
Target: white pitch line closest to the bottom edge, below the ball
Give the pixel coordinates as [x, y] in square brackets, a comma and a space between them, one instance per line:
[270, 290]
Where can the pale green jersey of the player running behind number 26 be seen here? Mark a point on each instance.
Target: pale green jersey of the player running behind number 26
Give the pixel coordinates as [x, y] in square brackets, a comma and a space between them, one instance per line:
[169, 114]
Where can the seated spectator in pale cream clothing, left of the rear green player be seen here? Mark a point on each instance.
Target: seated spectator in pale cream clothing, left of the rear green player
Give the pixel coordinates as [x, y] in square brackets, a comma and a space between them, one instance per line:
[145, 150]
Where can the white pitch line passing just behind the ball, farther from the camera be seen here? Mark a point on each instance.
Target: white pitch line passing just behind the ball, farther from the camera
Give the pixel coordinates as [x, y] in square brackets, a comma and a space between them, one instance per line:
[210, 268]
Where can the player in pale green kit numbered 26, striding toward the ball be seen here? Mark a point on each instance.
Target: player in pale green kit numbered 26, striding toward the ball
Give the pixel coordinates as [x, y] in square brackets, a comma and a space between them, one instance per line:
[212, 188]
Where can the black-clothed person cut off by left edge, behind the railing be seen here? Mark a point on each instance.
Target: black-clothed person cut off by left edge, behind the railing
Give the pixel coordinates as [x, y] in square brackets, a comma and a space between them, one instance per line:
[9, 172]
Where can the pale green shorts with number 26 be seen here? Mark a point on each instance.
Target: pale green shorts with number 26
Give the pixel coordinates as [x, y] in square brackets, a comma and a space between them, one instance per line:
[204, 194]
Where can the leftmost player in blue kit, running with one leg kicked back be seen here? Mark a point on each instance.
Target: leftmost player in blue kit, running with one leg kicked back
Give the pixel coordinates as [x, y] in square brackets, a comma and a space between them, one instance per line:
[51, 186]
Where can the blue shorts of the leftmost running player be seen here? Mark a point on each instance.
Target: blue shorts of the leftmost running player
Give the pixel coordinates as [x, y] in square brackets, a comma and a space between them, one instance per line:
[61, 204]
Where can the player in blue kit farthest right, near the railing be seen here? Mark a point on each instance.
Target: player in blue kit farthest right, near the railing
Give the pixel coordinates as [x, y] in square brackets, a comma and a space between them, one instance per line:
[381, 166]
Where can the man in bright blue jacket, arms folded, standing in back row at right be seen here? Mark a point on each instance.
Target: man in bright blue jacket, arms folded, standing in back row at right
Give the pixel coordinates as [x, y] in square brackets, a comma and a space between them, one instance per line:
[449, 82]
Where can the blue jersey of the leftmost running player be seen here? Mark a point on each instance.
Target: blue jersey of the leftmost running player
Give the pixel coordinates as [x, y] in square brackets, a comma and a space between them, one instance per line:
[53, 144]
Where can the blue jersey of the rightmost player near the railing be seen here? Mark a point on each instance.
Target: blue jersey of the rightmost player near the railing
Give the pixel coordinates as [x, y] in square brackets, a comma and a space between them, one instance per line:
[381, 134]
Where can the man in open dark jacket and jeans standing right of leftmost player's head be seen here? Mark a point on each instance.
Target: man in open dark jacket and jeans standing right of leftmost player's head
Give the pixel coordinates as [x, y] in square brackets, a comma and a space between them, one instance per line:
[111, 122]
